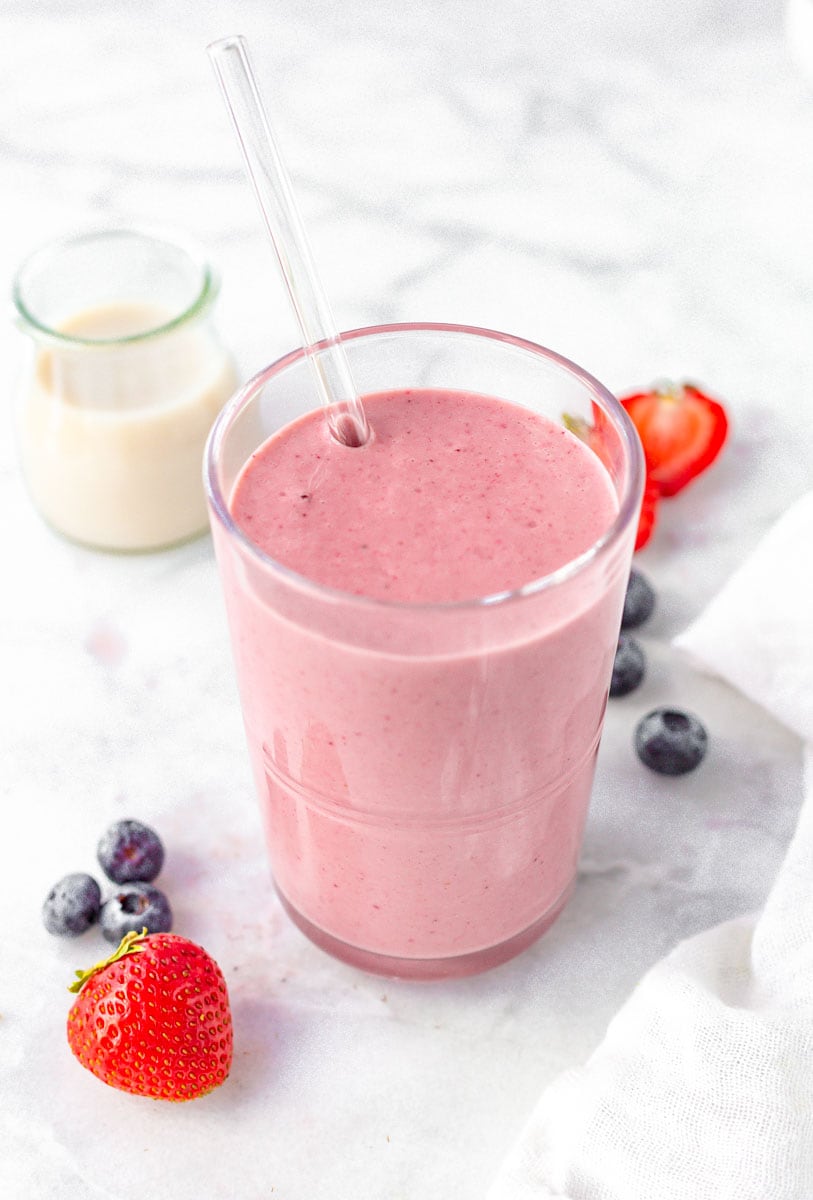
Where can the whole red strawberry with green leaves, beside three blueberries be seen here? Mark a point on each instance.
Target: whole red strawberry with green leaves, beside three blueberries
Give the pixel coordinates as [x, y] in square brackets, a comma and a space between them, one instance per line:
[154, 1019]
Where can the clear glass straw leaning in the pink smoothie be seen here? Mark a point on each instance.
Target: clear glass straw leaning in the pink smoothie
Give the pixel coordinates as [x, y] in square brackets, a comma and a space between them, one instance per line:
[273, 188]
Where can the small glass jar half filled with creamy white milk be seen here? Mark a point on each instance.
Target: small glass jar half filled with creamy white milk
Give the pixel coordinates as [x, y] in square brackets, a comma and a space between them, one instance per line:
[125, 377]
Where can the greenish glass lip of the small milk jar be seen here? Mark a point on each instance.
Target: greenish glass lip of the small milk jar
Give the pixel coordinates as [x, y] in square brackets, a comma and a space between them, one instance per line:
[204, 298]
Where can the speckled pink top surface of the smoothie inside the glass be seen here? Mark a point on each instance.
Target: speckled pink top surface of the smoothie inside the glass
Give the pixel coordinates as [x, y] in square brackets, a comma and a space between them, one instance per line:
[457, 496]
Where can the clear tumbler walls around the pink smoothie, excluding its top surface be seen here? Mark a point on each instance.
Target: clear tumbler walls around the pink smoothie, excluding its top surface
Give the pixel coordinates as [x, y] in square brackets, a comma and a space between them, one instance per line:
[424, 770]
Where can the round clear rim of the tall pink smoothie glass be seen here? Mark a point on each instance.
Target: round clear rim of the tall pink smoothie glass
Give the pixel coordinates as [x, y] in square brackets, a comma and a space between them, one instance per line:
[629, 501]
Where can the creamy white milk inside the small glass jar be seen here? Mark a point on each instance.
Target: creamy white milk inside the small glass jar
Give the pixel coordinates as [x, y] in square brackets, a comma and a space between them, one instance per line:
[113, 435]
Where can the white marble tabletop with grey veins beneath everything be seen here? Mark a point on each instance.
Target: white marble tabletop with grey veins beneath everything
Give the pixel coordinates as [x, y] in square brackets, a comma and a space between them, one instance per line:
[630, 184]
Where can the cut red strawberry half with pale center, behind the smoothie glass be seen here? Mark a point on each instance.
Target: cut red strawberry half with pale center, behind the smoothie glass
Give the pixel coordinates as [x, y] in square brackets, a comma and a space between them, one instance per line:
[682, 430]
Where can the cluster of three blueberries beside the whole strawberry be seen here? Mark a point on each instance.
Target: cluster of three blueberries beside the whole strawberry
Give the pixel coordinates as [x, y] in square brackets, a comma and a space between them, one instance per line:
[131, 855]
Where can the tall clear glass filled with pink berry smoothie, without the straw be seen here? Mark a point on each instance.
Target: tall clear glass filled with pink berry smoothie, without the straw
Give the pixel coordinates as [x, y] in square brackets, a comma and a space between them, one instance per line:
[424, 632]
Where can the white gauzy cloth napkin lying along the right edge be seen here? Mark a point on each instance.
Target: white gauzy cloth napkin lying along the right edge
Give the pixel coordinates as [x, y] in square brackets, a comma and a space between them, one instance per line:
[703, 1087]
